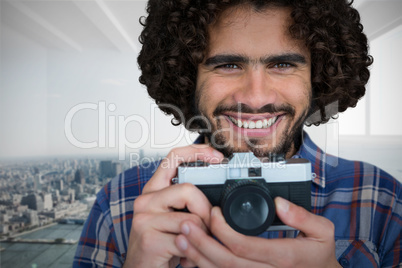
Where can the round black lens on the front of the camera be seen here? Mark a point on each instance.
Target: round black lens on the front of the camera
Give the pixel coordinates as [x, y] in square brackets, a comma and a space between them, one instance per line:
[248, 207]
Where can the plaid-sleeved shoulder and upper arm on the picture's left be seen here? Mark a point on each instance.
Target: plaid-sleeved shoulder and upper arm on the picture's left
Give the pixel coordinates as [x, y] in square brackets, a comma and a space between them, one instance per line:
[108, 226]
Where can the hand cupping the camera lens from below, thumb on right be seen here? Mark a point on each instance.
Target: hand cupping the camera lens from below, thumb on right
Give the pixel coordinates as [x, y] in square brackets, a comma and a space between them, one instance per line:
[314, 247]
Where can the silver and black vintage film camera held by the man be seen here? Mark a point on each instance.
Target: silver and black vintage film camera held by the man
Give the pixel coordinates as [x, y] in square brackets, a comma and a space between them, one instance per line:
[245, 187]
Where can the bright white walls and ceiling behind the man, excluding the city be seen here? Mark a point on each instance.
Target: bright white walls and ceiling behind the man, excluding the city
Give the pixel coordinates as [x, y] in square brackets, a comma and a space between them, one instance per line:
[69, 85]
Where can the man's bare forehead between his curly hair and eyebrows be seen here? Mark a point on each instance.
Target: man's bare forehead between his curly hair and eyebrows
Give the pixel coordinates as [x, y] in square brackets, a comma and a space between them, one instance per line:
[247, 31]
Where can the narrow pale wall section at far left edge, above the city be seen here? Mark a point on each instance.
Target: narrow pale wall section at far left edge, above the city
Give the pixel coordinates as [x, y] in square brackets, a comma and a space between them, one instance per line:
[23, 99]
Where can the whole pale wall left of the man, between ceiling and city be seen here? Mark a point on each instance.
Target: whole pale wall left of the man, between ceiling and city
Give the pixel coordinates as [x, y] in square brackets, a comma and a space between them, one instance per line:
[41, 86]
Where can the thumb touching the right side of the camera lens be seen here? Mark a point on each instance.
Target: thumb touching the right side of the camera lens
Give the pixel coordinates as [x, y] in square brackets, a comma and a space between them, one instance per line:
[312, 226]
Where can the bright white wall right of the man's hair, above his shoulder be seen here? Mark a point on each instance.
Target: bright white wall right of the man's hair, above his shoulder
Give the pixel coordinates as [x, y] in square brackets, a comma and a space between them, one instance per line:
[372, 131]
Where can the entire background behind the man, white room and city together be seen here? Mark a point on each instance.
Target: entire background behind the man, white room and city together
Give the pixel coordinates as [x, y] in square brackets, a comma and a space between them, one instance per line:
[71, 108]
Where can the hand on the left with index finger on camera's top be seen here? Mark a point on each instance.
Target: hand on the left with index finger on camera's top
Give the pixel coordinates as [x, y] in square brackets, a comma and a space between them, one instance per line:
[155, 223]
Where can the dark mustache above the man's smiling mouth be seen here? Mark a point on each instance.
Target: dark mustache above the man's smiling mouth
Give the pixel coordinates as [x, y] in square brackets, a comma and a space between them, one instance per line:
[244, 108]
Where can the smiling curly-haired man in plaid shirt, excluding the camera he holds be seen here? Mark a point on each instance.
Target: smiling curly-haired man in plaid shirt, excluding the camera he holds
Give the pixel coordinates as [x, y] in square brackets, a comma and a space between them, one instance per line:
[248, 74]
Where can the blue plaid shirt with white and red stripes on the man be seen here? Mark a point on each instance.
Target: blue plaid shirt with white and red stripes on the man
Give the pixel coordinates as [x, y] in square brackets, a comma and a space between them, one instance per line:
[361, 200]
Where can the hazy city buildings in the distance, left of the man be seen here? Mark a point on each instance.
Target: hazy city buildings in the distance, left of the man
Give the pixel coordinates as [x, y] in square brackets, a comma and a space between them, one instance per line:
[36, 193]
